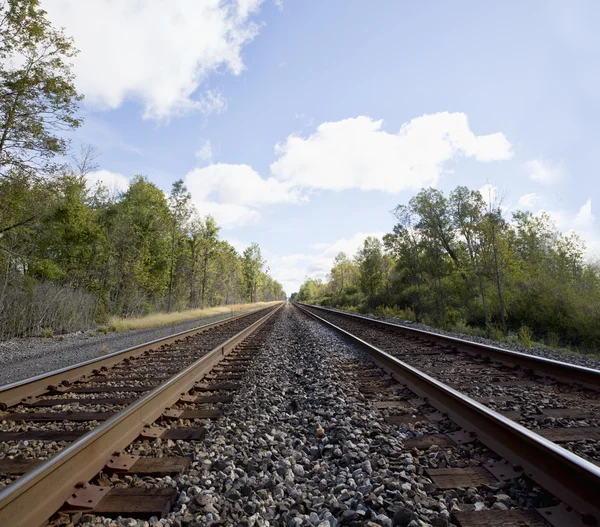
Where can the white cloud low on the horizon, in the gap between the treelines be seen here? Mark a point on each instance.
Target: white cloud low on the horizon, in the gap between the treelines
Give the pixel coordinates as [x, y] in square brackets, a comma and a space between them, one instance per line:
[292, 269]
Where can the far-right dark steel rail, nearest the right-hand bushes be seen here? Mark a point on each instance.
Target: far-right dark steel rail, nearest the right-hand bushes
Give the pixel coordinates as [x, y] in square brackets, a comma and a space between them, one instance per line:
[563, 371]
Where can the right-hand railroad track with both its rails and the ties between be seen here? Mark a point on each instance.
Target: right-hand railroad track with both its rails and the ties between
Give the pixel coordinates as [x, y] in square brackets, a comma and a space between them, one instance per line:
[518, 395]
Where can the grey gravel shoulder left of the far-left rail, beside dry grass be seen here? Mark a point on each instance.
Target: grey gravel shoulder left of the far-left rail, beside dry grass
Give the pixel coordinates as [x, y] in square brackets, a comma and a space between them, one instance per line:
[26, 357]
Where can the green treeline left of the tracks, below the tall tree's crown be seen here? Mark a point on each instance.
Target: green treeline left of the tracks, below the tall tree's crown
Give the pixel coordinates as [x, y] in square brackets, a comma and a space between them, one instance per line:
[75, 255]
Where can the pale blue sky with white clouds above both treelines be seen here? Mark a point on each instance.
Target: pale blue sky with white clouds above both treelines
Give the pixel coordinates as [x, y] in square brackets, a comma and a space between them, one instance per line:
[300, 124]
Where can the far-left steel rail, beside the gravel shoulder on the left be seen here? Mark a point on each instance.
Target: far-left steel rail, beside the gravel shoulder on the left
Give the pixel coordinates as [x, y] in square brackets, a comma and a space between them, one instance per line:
[14, 393]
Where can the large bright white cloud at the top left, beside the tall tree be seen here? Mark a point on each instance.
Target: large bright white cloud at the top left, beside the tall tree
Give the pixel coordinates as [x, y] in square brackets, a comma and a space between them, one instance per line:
[158, 53]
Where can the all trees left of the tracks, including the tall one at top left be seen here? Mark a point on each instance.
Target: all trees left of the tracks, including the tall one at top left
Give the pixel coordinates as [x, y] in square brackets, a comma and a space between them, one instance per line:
[69, 255]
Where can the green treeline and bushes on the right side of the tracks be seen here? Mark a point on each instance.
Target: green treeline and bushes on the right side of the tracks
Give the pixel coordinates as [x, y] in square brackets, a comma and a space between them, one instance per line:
[457, 263]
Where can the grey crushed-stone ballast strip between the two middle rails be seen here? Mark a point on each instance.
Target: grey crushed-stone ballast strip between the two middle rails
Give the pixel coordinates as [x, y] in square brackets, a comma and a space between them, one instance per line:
[300, 445]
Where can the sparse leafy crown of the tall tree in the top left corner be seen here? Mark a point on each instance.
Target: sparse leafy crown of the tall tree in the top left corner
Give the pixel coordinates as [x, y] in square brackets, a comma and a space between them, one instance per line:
[38, 99]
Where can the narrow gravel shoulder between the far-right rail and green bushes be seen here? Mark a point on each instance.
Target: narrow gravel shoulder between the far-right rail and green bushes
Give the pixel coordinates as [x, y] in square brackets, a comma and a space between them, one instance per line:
[579, 360]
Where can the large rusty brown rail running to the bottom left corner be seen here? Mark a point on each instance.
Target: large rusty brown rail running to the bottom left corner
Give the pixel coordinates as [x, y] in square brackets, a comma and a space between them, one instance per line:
[32, 499]
